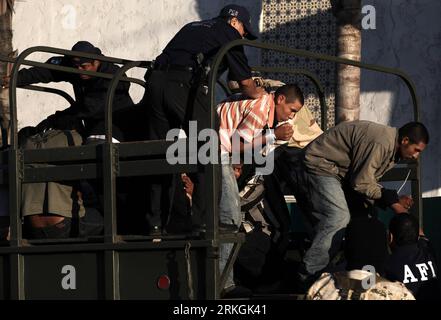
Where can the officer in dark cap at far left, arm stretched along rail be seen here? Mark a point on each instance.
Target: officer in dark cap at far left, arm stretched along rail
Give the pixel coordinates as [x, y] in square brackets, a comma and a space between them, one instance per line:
[90, 93]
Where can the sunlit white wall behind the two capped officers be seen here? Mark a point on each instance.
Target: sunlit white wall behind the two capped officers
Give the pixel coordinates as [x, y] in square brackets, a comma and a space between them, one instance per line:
[131, 29]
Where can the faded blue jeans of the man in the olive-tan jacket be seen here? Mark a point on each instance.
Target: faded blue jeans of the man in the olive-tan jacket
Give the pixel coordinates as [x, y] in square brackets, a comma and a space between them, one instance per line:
[330, 215]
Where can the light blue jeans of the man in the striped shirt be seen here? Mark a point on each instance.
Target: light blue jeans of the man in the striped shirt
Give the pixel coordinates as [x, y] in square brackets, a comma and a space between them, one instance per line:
[229, 213]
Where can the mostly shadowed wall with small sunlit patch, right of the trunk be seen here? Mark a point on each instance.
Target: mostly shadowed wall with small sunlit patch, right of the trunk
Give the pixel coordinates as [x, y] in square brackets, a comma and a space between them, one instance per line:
[407, 37]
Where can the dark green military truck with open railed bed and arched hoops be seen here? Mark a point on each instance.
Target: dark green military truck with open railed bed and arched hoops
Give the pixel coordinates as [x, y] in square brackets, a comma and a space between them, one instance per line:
[115, 266]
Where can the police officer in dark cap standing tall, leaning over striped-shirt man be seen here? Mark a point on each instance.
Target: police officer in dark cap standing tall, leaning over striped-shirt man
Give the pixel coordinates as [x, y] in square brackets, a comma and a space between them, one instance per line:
[176, 93]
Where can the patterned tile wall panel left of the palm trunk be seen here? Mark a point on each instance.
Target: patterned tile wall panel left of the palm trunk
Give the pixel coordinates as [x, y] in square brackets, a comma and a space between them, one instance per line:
[307, 25]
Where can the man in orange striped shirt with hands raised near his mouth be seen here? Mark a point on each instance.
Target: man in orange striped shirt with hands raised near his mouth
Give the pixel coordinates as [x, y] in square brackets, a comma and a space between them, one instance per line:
[242, 124]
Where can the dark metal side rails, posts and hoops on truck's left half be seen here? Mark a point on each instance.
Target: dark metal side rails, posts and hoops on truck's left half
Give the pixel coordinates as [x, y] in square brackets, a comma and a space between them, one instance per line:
[89, 162]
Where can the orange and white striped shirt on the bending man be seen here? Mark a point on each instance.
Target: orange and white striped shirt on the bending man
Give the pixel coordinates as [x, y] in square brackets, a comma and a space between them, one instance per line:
[246, 117]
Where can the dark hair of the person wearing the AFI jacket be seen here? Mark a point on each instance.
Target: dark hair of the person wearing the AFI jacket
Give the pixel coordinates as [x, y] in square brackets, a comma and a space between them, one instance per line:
[404, 229]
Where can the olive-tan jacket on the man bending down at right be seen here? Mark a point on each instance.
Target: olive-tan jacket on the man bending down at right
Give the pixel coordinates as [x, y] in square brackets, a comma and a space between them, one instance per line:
[356, 152]
